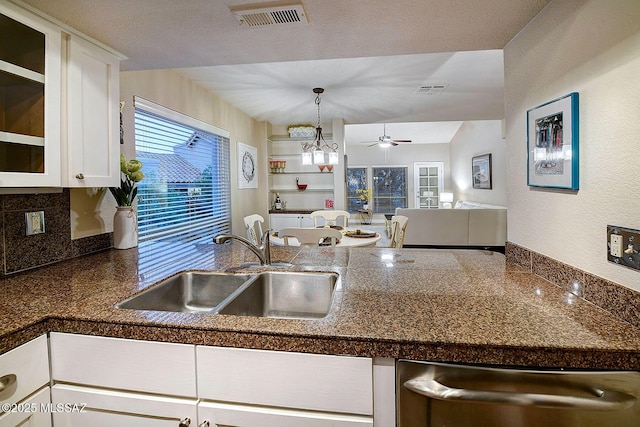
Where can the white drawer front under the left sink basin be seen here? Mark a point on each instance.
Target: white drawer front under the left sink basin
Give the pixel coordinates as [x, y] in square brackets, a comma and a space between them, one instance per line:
[124, 364]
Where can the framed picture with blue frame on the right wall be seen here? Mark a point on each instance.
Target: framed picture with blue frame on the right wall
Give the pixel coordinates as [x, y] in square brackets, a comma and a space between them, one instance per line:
[553, 144]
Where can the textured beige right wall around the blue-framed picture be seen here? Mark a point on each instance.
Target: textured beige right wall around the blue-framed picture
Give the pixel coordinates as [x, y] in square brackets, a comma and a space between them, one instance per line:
[591, 47]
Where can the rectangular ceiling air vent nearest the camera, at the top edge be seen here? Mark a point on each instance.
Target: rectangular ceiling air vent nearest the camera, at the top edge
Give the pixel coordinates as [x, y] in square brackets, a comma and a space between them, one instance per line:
[266, 14]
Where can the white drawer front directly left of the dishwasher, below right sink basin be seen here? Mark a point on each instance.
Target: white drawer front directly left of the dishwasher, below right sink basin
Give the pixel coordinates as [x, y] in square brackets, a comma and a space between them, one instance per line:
[290, 380]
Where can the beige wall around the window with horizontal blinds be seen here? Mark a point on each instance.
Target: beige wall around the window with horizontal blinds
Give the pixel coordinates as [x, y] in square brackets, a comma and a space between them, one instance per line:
[92, 214]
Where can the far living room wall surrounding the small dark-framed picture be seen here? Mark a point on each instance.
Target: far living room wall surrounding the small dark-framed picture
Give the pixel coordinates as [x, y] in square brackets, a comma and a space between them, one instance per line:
[472, 139]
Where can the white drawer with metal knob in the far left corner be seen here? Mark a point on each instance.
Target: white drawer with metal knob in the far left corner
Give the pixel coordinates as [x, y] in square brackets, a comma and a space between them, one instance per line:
[25, 369]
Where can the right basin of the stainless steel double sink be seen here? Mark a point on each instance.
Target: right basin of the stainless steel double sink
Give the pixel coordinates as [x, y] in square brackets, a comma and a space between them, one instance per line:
[284, 295]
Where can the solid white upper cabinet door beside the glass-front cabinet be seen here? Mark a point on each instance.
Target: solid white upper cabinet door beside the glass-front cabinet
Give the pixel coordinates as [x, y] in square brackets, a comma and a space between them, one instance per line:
[92, 149]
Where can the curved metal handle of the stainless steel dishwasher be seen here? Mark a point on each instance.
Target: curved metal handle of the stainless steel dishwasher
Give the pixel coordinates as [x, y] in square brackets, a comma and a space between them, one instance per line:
[603, 400]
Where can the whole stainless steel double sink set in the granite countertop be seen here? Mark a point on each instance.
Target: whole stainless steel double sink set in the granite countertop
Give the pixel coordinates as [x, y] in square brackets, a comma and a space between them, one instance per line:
[303, 295]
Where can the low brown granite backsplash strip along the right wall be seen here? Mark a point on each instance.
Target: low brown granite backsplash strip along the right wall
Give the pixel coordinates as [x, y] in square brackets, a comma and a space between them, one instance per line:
[618, 300]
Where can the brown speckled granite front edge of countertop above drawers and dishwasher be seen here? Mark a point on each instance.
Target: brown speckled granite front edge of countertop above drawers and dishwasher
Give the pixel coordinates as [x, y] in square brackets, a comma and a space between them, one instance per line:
[551, 358]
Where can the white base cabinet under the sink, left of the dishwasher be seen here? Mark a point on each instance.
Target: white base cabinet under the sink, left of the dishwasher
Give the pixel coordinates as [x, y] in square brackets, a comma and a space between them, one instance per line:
[143, 383]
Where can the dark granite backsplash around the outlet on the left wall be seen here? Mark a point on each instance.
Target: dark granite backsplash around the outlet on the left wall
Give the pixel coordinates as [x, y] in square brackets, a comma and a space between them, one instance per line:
[21, 252]
